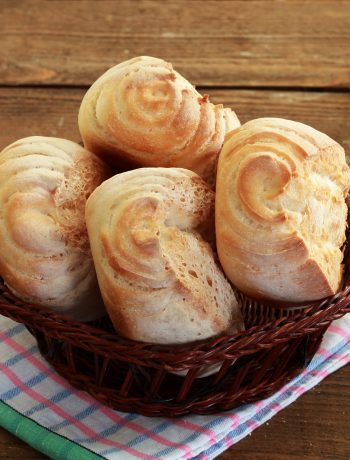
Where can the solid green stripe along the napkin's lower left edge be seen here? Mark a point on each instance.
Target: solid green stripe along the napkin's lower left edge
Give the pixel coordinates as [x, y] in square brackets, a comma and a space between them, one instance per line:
[42, 439]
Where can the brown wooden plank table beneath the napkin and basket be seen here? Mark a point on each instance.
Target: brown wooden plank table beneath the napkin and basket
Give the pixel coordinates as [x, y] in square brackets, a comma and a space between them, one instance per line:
[288, 59]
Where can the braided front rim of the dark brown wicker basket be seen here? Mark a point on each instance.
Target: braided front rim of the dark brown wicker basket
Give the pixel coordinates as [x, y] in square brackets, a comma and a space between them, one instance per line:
[111, 345]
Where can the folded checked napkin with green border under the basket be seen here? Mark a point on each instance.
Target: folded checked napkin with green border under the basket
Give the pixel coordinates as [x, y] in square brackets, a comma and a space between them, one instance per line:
[40, 407]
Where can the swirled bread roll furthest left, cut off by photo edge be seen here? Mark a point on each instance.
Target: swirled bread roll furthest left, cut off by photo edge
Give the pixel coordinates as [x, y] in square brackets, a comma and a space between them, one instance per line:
[45, 256]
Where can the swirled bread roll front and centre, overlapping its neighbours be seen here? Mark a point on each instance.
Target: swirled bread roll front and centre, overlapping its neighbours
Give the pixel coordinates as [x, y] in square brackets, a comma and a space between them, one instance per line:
[158, 276]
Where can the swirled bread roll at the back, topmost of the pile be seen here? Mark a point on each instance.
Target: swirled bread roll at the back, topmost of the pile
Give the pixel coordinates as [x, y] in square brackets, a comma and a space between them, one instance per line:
[143, 113]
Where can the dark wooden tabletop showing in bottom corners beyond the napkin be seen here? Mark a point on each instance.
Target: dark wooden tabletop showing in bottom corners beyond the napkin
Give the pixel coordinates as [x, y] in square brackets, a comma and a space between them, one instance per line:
[315, 427]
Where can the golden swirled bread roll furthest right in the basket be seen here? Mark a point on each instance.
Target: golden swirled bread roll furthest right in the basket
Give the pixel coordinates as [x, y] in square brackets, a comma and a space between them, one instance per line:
[280, 210]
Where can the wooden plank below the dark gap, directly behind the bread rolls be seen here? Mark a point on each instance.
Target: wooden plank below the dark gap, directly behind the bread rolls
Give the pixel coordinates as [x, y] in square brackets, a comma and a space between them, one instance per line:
[53, 112]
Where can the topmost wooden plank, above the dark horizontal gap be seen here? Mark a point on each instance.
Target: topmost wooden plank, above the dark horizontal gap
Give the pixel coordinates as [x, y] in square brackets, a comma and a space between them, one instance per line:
[213, 43]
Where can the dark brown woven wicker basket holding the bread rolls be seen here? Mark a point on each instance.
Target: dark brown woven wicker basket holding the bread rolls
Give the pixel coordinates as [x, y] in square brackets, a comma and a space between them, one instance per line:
[159, 380]
